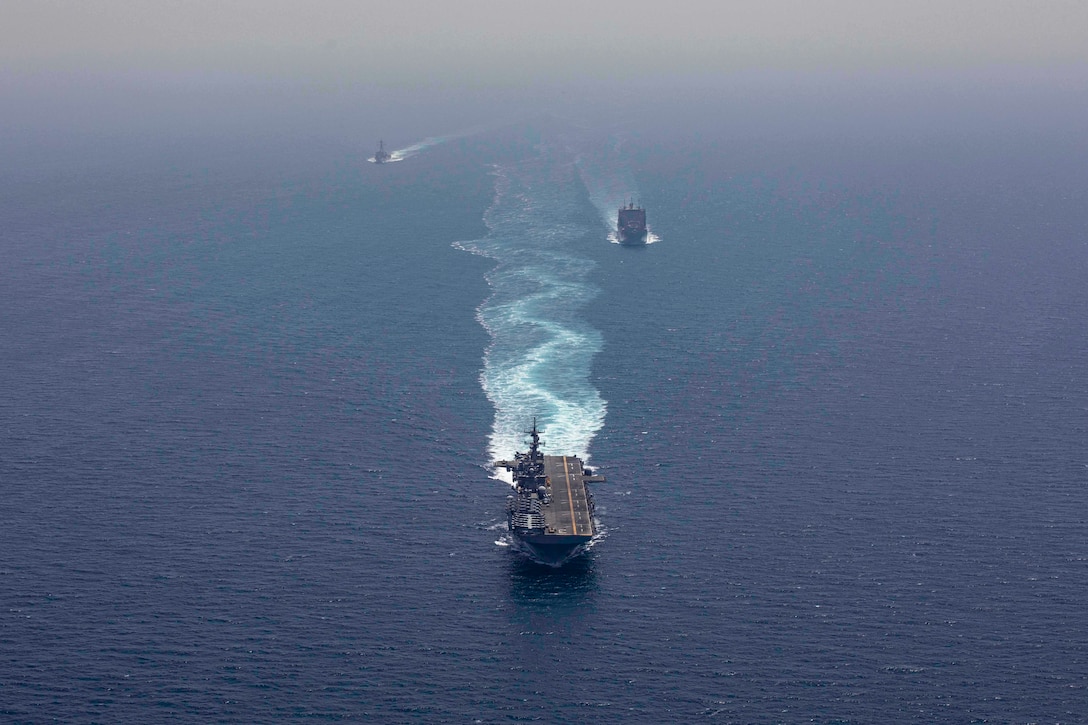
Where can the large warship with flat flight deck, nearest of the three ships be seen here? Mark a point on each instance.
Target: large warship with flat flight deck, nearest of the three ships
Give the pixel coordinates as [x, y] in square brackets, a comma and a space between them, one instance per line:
[551, 512]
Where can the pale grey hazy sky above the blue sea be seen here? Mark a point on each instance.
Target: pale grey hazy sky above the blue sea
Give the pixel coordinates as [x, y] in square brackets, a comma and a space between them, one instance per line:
[513, 41]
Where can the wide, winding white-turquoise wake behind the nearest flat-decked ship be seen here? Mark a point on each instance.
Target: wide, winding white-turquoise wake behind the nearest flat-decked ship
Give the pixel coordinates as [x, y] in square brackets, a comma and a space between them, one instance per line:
[539, 360]
